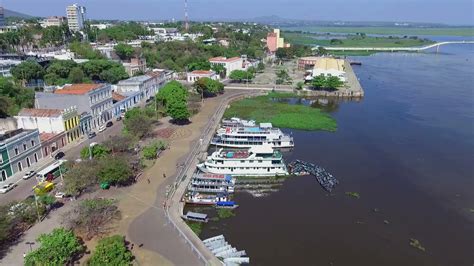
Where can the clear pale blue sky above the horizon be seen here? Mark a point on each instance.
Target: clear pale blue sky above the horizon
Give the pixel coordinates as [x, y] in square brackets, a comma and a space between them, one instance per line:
[454, 12]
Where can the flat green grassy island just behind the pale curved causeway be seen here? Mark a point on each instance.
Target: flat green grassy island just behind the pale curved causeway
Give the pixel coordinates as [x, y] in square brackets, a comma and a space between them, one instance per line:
[354, 41]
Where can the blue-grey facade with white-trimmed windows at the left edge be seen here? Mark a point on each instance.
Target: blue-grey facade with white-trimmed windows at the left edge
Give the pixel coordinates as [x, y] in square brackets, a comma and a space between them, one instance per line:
[20, 149]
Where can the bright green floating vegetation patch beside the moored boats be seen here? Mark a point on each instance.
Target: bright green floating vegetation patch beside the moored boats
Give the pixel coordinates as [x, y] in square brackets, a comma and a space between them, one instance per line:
[294, 116]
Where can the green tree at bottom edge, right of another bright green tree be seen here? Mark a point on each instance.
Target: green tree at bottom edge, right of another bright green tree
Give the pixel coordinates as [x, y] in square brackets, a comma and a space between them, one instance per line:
[111, 251]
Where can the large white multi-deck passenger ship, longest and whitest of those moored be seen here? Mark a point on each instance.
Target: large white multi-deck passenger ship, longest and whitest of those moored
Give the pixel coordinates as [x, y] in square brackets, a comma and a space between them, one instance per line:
[260, 160]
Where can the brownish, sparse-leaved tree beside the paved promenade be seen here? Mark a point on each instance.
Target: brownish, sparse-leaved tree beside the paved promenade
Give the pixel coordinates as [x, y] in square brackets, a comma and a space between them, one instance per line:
[92, 217]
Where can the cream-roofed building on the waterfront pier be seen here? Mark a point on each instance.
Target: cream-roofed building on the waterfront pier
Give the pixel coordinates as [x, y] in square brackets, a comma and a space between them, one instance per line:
[328, 67]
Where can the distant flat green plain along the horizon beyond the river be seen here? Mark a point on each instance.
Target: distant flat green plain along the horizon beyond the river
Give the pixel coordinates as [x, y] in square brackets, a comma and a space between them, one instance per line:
[441, 31]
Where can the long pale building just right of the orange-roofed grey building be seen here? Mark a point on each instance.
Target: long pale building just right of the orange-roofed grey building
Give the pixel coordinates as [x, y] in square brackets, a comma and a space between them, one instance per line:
[147, 85]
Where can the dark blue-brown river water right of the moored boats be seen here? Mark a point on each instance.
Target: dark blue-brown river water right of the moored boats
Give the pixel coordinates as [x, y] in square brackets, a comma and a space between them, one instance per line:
[407, 148]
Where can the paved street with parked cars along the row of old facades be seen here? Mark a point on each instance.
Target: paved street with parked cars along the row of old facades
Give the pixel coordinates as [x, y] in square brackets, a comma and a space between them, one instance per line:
[25, 187]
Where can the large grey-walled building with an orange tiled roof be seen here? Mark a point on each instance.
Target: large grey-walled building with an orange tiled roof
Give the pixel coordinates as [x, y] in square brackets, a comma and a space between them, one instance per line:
[95, 99]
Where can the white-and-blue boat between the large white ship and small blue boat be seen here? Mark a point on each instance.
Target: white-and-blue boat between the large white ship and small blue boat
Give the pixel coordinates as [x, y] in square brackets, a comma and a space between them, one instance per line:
[211, 183]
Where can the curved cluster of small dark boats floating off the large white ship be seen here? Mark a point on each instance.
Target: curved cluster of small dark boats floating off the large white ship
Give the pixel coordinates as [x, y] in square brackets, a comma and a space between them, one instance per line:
[325, 179]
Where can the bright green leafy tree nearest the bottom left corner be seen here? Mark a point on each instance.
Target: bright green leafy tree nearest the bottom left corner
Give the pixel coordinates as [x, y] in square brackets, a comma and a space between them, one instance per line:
[57, 248]
